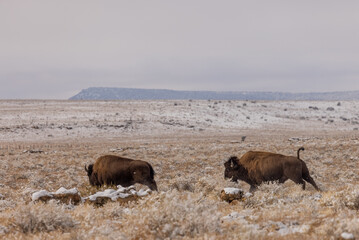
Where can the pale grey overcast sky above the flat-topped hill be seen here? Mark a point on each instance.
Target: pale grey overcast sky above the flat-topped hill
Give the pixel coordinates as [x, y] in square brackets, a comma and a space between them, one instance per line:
[53, 49]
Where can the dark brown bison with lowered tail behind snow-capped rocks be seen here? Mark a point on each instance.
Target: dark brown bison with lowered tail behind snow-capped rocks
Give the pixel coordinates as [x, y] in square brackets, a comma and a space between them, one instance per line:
[115, 170]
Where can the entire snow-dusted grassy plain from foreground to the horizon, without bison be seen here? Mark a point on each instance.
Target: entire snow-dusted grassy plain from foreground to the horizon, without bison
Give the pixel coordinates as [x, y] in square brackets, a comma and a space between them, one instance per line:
[44, 145]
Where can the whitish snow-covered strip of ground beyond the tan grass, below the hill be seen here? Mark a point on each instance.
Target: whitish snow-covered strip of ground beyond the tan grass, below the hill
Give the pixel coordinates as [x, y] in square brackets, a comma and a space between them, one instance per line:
[59, 120]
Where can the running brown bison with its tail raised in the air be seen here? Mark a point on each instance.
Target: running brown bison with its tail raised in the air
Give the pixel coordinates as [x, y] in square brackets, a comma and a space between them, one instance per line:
[257, 167]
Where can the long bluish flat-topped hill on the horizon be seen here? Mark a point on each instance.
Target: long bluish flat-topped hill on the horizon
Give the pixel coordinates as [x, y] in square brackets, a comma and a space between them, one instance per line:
[99, 93]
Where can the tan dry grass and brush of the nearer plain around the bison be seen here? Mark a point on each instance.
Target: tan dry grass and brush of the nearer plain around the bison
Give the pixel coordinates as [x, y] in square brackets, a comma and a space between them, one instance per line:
[190, 178]
